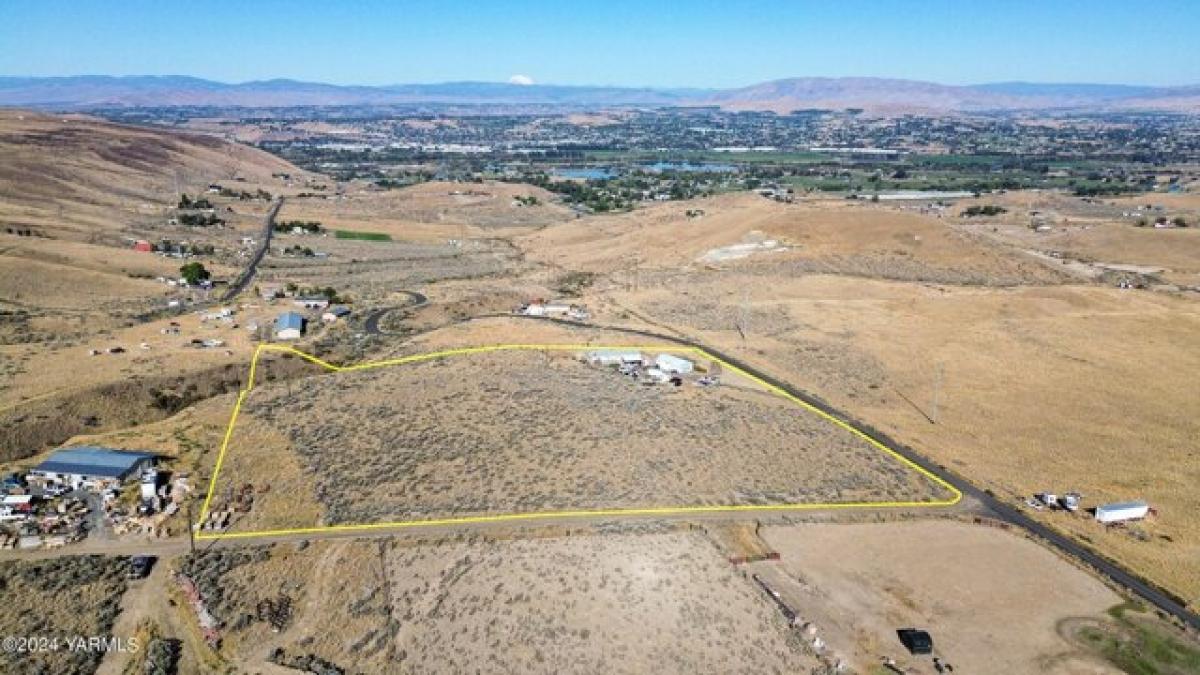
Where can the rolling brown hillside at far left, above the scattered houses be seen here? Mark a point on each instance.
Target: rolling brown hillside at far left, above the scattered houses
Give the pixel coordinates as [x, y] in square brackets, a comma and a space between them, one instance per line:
[77, 193]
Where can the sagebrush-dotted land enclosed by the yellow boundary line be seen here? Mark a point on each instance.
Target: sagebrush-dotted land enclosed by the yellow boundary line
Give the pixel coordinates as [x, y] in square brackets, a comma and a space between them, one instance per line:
[530, 432]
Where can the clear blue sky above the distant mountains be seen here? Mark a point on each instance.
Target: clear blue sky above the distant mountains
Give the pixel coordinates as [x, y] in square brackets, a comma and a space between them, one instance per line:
[649, 43]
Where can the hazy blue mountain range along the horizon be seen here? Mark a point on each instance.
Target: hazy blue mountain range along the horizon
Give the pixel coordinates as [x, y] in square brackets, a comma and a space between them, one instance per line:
[877, 95]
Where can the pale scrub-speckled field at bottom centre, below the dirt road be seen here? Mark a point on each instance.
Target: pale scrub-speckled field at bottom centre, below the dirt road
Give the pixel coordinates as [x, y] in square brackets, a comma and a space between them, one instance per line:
[596, 604]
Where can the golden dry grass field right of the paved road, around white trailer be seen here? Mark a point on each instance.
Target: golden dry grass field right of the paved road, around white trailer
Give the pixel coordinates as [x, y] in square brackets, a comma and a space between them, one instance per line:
[1043, 387]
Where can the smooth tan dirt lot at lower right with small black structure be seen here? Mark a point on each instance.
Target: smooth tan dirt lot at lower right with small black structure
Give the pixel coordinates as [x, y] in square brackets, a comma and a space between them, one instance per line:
[992, 601]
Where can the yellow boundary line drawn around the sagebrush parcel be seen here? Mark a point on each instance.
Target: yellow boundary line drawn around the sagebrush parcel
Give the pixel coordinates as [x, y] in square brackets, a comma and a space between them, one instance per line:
[539, 516]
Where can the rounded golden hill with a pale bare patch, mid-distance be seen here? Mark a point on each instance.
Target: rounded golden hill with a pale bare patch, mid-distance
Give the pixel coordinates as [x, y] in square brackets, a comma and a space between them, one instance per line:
[823, 238]
